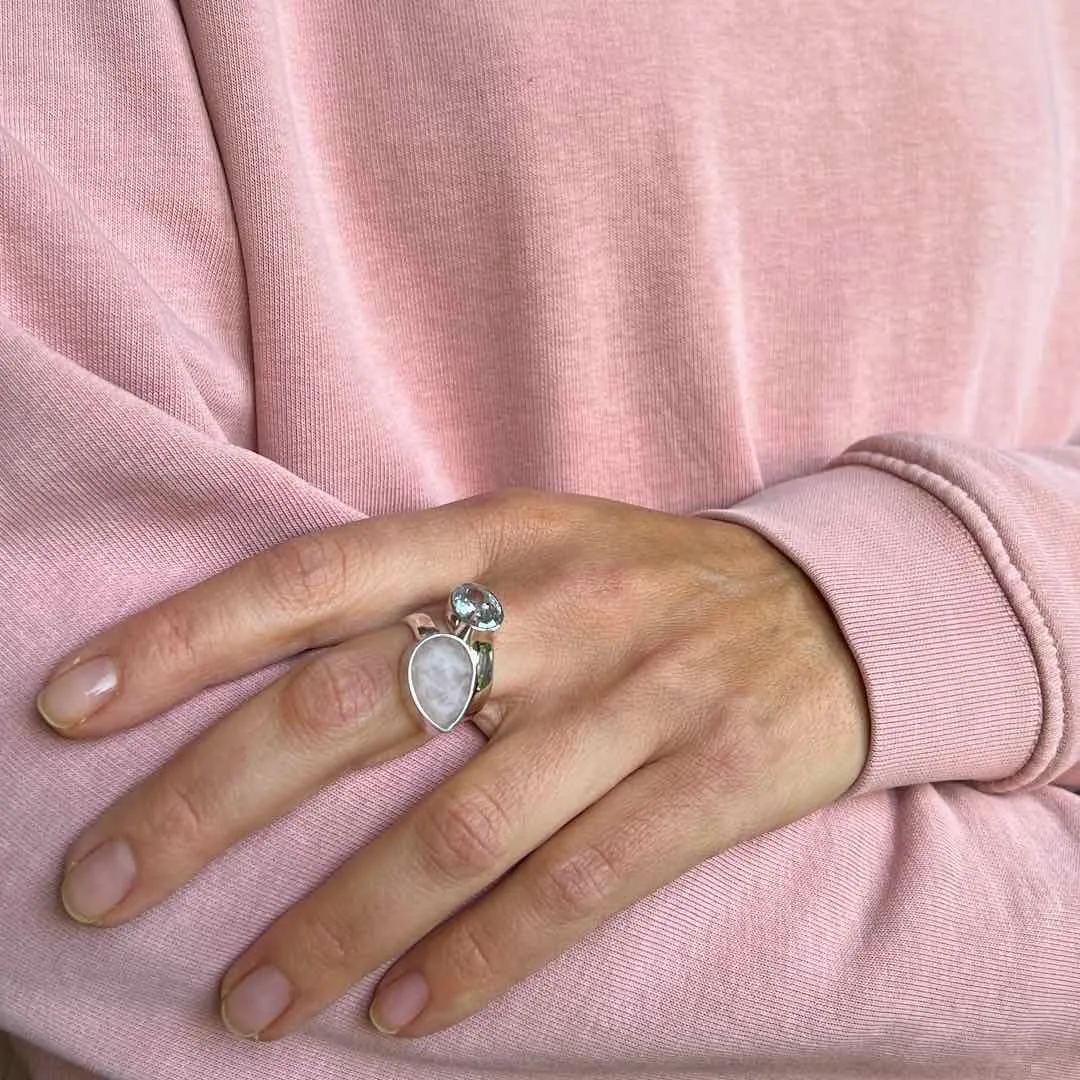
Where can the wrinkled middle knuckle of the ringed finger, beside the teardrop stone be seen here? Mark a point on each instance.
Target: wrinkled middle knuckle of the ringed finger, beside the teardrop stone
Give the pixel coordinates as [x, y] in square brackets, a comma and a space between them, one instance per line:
[329, 699]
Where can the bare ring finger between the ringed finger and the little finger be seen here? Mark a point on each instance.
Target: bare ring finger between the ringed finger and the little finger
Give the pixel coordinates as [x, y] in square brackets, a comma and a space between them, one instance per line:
[464, 836]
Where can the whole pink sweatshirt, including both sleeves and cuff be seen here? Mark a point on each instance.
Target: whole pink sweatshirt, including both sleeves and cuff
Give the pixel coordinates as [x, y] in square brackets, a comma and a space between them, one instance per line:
[273, 266]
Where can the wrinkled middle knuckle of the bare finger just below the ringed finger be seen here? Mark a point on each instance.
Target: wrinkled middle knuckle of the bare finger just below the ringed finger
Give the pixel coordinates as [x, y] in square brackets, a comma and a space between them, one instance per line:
[464, 836]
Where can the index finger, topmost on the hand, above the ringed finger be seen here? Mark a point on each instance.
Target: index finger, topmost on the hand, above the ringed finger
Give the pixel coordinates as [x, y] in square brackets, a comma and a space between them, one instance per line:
[308, 592]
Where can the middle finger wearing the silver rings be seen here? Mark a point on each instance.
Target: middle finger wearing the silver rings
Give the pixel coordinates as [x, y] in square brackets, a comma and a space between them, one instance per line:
[339, 711]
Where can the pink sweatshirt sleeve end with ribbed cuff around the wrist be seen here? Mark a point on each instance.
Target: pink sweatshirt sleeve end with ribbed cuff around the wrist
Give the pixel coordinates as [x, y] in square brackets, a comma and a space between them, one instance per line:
[952, 570]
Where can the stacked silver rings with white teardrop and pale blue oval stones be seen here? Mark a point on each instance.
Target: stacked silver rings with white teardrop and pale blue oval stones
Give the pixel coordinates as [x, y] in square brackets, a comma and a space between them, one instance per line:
[448, 674]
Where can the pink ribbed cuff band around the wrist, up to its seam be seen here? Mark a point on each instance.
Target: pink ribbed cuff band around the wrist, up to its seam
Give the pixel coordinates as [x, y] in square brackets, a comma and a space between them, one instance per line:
[950, 676]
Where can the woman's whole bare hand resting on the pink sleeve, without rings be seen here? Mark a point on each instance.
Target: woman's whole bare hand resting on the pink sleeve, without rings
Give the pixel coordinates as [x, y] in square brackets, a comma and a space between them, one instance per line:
[665, 687]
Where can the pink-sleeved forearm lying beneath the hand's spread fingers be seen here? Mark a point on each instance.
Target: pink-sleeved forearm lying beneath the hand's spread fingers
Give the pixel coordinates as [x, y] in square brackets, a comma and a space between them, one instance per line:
[937, 919]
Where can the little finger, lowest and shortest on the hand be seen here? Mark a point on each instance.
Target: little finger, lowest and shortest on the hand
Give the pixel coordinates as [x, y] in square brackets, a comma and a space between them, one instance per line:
[638, 839]
